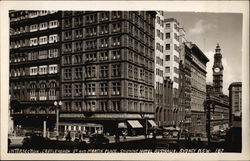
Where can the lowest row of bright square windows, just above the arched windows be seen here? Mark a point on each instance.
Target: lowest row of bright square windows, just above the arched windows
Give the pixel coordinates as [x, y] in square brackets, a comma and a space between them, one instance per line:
[44, 69]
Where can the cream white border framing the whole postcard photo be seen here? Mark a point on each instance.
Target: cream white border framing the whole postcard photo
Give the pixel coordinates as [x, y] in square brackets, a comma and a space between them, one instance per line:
[197, 6]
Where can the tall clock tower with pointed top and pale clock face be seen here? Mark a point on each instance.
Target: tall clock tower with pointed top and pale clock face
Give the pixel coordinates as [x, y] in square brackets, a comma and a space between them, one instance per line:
[218, 71]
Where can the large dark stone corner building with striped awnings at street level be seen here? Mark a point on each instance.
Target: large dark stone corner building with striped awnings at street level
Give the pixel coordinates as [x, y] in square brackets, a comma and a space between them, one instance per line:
[107, 68]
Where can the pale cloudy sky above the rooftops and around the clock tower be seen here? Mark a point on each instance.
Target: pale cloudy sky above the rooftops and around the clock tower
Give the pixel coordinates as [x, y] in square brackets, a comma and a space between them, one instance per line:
[208, 29]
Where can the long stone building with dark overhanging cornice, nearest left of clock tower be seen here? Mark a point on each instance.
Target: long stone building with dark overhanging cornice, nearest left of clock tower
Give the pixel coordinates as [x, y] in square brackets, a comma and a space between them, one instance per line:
[198, 89]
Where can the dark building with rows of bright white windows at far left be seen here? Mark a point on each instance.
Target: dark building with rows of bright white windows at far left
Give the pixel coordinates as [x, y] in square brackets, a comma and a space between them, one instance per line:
[34, 68]
